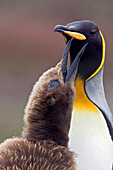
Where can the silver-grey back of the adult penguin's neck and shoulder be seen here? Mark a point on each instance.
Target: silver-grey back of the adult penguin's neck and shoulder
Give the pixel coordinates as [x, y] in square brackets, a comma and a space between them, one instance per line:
[95, 91]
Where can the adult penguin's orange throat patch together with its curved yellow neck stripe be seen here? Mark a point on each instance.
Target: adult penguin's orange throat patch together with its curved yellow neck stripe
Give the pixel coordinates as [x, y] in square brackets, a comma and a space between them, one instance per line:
[82, 103]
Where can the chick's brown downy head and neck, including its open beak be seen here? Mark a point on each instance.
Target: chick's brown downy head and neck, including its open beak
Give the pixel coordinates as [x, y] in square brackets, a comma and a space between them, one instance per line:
[48, 112]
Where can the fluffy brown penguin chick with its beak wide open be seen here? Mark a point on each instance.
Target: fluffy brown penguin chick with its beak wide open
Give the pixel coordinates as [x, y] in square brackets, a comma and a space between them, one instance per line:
[44, 141]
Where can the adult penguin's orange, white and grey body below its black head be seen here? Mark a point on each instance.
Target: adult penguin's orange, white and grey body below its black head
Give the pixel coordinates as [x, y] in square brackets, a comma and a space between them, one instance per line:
[89, 129]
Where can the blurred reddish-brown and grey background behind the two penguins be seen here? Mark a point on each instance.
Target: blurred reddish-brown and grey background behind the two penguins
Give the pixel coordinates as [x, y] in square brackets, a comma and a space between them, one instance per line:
[29, 46]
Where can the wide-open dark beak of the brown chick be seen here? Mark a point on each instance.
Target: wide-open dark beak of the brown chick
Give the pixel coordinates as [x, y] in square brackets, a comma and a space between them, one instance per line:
[67, 75]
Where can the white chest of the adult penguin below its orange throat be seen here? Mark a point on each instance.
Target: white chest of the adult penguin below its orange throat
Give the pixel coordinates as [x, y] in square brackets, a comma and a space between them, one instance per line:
[90, 139]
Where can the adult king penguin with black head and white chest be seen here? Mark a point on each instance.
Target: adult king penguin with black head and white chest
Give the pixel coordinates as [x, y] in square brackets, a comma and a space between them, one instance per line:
[91, 133]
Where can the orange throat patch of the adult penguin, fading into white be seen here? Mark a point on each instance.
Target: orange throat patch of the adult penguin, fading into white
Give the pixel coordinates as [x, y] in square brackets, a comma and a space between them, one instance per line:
[82, 102]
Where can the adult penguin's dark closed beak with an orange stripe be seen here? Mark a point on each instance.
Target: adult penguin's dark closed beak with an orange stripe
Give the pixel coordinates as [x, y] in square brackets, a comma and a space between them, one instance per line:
[66, 31]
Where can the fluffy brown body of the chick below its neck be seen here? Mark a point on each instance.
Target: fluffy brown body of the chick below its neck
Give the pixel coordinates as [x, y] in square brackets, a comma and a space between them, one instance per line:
[21, 154]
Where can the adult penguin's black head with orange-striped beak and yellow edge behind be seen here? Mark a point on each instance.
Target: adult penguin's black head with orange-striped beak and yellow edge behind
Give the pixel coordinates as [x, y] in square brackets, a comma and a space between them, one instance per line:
[85, 31]
